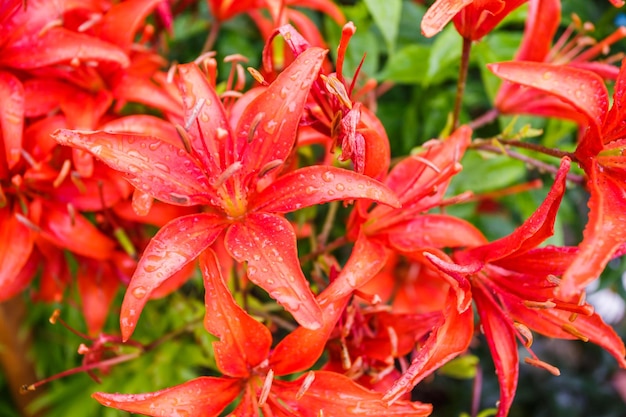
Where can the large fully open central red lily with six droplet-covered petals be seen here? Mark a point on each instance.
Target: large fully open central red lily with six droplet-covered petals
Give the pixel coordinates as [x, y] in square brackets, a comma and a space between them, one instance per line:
[234, 170]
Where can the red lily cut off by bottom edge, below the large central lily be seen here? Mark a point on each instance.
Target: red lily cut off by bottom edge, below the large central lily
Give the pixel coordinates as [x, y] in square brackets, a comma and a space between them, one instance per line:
[243, 355]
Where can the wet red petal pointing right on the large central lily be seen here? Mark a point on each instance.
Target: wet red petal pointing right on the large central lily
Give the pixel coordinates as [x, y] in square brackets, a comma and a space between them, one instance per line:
[317, 185]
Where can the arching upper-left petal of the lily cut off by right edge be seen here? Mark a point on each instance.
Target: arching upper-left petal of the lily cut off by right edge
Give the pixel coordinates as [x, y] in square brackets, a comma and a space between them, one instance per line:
[582, 89]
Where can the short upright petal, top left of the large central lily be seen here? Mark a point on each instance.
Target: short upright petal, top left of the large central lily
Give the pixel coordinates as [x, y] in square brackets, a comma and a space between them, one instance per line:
[209, 130]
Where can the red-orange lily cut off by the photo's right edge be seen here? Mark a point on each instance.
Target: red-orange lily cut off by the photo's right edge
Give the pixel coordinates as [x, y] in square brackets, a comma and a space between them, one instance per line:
[599, 152]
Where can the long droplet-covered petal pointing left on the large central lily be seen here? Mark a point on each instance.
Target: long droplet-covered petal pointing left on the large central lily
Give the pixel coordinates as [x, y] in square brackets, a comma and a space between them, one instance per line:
[154, 166]
